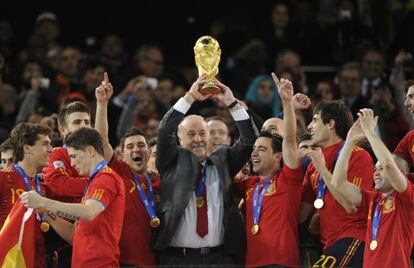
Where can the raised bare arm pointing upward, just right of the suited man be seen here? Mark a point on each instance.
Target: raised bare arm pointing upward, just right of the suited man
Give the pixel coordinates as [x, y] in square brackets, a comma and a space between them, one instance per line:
[289, 148]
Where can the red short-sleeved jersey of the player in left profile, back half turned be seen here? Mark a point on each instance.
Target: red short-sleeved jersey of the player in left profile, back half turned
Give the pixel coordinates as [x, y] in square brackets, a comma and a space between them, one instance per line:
[96, 242]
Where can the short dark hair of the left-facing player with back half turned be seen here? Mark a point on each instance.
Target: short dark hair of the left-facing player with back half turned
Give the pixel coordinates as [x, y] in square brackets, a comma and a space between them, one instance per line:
[84, 137]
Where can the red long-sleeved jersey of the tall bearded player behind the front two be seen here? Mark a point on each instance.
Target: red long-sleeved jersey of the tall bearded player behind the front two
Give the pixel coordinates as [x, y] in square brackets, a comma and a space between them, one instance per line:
[62, 179]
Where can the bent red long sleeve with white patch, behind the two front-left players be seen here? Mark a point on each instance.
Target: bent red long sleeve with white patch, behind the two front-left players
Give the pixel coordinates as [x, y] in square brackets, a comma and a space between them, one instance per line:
[57, 177]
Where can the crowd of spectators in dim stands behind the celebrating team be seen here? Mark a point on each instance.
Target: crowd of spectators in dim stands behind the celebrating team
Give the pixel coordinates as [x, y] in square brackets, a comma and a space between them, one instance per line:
[367, 67]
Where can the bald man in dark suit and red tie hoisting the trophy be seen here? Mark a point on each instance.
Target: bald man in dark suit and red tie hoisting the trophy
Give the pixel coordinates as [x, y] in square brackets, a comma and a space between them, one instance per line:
[196, 211]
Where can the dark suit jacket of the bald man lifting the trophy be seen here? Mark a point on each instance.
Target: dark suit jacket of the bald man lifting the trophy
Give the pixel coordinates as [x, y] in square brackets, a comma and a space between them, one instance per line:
[178, 170]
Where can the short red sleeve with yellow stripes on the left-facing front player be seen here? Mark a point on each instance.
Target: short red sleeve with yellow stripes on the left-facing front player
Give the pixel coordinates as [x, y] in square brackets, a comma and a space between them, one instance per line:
[103, 188]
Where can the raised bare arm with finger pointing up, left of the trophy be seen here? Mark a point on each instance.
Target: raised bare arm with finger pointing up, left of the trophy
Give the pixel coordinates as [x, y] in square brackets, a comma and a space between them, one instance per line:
[103, 94]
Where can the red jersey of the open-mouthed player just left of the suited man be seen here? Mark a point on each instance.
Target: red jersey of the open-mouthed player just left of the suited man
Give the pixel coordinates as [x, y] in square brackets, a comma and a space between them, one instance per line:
[136, 231]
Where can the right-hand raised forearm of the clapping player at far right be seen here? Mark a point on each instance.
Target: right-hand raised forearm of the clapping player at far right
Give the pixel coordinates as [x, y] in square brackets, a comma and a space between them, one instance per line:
[384, 156]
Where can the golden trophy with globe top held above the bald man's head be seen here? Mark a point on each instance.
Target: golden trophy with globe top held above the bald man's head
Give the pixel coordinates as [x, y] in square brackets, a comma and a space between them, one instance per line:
[207, 54]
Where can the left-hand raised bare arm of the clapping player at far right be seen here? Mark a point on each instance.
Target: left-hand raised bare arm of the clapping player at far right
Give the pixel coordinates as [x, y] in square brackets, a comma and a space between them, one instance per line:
[350, 192]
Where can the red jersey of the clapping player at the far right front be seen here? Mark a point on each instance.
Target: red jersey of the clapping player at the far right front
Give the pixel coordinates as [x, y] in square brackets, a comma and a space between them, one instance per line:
[395, 236]
